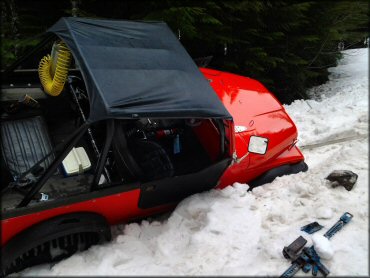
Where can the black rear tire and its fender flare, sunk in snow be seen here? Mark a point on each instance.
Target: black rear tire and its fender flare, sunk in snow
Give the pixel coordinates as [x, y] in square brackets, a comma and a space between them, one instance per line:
[54, 239]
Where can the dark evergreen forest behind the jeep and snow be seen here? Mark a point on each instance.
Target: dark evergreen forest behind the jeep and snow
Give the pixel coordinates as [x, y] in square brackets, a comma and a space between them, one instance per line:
[287, 45]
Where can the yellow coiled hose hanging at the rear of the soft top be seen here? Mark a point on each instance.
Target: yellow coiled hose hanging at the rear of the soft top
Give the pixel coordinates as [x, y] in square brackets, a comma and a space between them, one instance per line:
[53, 85]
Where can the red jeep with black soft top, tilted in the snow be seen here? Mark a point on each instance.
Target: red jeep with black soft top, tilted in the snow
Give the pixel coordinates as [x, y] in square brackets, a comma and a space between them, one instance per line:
[118, 124]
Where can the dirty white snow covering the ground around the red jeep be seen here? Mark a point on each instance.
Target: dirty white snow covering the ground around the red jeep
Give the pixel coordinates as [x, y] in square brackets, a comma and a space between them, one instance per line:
[235, 232]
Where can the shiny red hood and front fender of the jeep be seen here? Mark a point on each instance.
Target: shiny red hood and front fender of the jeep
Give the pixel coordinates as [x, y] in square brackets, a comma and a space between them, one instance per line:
[255, 108]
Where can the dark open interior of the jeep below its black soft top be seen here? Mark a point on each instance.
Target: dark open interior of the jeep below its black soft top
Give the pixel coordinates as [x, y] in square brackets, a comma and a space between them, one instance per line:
[36, 127]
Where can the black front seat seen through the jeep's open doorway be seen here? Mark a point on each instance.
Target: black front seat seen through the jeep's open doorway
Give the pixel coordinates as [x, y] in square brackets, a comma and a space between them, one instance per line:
[140, 159]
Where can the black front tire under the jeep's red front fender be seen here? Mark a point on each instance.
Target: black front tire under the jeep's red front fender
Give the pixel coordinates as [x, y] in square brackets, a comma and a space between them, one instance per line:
[282, 170]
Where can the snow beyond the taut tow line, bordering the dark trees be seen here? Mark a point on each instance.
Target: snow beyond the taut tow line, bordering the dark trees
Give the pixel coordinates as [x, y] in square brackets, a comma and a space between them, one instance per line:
[340, 106]
